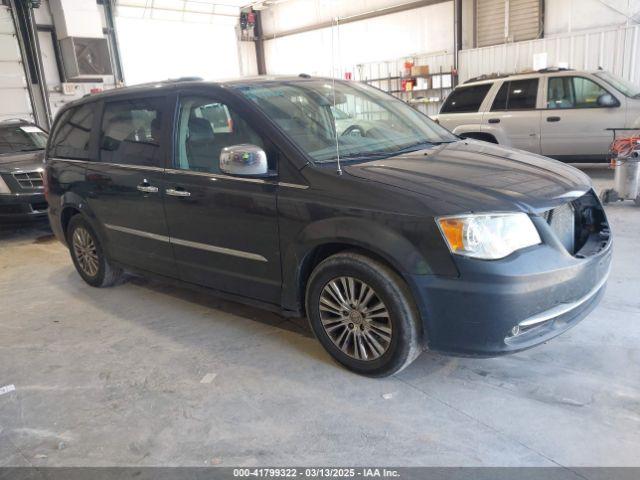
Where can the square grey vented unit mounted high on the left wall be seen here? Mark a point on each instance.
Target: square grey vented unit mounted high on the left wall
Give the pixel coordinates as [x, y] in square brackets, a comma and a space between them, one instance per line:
[86, 57]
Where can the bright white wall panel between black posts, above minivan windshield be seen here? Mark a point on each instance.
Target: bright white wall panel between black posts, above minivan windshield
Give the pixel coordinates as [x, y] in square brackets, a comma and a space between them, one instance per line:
[425, 29]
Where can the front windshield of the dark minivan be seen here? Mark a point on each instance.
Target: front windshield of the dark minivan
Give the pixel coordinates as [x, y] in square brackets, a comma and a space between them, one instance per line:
[369, 124]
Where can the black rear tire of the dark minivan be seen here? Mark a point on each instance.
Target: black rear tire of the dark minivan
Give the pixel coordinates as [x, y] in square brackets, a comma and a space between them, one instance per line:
[104, 274]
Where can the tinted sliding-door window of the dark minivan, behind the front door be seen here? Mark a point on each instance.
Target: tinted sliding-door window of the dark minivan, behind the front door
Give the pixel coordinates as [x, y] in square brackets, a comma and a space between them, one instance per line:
[131, 132]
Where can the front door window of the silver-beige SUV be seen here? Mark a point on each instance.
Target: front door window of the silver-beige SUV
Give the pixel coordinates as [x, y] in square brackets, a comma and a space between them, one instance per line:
[573, 92]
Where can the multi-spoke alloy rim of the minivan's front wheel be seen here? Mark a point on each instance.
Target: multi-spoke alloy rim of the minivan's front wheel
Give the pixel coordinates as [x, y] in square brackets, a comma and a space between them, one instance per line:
[355, 318]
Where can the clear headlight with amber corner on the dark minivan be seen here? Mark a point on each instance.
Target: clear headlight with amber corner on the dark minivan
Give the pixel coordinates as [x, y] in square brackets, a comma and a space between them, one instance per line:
[488, 236]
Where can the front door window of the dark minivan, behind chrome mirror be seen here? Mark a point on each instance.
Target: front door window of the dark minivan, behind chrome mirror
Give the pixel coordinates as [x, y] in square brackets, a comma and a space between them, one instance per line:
[205, 127]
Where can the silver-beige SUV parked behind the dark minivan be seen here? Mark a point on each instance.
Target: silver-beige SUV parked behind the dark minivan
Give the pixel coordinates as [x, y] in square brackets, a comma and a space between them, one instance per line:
[562, 114]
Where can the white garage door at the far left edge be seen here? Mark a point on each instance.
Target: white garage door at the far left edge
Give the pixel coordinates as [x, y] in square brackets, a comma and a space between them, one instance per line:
[14, 96]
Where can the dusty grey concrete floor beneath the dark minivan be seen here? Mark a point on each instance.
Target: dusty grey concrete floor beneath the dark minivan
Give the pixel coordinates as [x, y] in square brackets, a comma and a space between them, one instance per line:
[115, 377]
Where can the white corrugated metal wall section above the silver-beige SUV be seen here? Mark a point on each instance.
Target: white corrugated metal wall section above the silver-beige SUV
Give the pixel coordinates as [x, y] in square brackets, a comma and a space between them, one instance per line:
[614, 49]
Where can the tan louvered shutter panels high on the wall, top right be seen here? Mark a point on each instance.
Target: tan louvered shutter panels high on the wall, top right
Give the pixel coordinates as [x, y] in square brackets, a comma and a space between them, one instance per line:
[500, 21]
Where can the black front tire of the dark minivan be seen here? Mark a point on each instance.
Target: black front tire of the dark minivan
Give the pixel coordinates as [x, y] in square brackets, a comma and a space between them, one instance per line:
[405, 342]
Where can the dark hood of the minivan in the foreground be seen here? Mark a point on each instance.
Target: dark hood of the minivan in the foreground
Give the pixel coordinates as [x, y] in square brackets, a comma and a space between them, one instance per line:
[473, 176]
